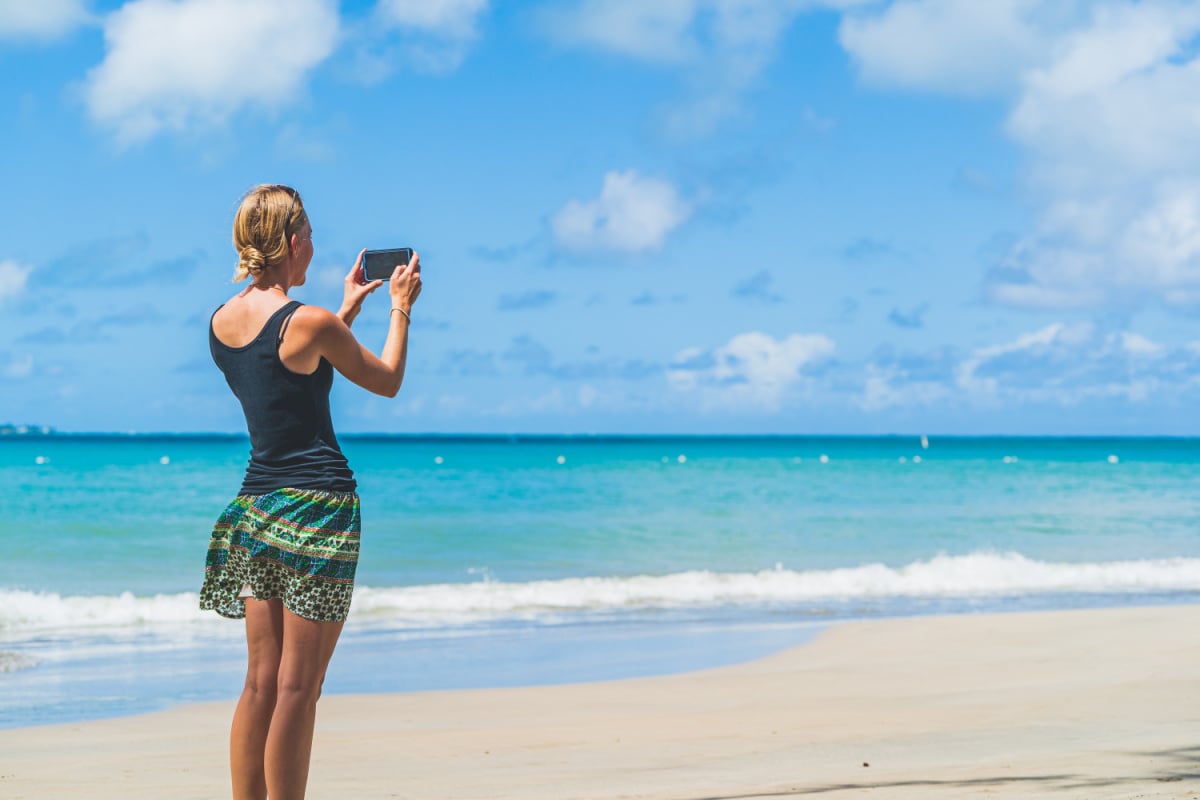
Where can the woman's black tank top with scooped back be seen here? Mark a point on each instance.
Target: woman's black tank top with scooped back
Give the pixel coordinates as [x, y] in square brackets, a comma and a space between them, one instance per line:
[292, 442]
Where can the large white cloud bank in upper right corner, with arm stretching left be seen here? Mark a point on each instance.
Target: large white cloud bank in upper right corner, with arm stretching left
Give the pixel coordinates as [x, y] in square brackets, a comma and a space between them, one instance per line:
[1102, 100]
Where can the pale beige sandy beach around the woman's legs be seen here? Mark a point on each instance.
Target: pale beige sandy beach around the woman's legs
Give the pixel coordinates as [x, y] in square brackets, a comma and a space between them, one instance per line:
[1099, 703]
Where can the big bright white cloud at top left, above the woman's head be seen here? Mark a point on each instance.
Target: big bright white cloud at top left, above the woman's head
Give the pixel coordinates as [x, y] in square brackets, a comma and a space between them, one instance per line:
[177, 65]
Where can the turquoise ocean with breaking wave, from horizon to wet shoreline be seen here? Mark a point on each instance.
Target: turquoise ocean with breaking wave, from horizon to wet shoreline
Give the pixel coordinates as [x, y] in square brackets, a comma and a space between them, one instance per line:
[518, 561]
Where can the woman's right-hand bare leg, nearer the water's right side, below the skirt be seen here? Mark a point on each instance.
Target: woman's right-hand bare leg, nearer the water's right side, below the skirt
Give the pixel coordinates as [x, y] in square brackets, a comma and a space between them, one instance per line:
[308, 647]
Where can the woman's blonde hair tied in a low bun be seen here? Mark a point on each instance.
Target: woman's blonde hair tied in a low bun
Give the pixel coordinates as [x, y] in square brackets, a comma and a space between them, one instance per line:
[269, 215]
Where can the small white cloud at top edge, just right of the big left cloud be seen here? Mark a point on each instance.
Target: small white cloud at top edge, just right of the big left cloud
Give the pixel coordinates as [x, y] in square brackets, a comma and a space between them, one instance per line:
[441, 32]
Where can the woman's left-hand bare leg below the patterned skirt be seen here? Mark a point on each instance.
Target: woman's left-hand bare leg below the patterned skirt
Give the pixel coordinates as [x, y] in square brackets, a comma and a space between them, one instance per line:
[251, 721]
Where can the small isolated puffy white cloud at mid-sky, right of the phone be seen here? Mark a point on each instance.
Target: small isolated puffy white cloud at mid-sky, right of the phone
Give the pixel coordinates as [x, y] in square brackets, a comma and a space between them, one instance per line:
[632, 214]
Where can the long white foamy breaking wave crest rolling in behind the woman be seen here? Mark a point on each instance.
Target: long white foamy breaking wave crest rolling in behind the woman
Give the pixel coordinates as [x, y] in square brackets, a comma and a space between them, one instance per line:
[981, 575]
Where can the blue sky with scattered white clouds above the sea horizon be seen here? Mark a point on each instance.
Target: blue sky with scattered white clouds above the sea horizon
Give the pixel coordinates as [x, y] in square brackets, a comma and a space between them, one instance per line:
[686, 216]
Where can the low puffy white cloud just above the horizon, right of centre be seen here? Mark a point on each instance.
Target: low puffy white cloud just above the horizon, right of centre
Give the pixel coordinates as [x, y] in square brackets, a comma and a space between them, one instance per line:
[751, 370]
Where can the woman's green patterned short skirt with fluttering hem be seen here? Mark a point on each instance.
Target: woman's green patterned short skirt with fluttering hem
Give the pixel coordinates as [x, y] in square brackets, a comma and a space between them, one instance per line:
[298, 545]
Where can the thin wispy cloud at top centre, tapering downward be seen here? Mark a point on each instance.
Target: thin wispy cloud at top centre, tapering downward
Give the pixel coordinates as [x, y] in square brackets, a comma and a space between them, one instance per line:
[719, 46]
